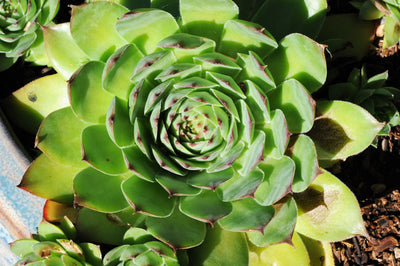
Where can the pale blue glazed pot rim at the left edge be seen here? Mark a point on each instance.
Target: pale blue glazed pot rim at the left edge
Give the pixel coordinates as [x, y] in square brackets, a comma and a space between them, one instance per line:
[20, 211]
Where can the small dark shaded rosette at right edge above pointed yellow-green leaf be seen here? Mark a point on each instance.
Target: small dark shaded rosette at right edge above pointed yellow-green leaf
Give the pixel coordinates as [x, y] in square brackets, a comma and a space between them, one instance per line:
[370, 93]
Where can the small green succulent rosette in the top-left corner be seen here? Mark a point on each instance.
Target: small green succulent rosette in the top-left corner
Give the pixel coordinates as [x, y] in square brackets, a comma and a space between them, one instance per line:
[20, 33]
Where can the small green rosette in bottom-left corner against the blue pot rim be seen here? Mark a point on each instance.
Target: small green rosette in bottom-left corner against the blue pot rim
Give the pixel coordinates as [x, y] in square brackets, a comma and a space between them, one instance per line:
[55, 245]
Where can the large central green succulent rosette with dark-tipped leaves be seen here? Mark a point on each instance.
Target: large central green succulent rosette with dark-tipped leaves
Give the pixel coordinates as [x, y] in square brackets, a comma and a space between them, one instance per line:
[180, 125]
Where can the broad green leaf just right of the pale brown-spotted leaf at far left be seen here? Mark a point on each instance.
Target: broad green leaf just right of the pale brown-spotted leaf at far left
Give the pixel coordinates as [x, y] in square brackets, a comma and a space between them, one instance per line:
[89, 100]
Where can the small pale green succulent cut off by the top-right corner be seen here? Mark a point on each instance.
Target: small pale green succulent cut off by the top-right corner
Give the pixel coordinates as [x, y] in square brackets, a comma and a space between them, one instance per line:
[388, 11]
